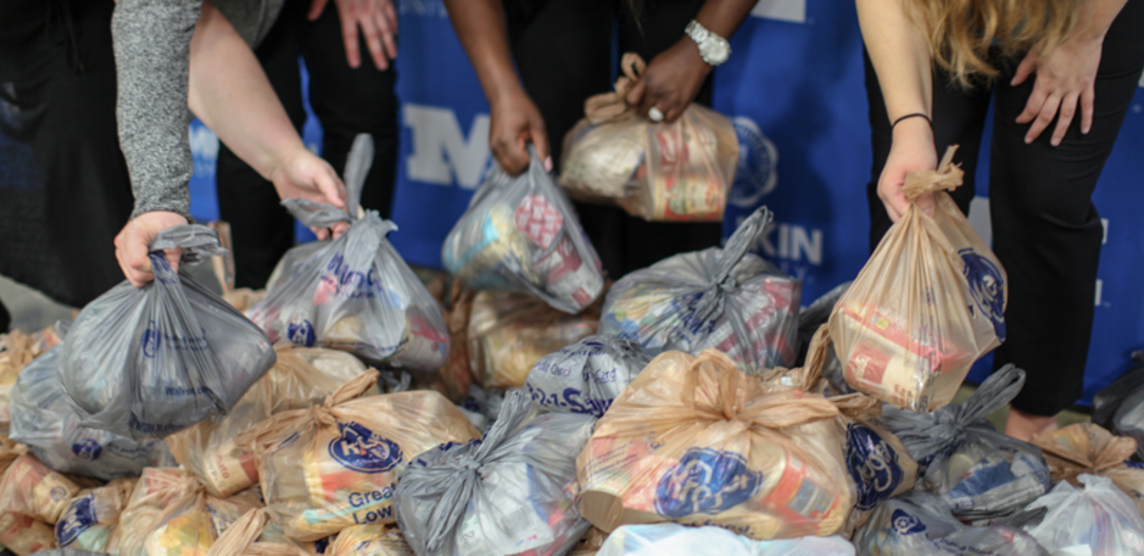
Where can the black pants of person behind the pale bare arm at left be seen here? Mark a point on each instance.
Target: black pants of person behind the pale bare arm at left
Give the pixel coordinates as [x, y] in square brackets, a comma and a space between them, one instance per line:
[347, 102]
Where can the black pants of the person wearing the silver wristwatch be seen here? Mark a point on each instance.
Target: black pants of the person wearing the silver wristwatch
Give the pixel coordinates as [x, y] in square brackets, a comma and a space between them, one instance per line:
[563, 50]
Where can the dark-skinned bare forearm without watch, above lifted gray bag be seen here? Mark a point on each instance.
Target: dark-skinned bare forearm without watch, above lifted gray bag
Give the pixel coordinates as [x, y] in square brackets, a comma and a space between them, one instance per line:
[481, 27]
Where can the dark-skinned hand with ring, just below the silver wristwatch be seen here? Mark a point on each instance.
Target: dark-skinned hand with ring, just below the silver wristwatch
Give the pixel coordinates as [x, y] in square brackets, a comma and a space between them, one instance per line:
[672, 81]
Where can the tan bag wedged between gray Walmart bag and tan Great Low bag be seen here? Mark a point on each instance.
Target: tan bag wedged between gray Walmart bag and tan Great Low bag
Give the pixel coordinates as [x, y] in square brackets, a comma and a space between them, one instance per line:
[300, 378]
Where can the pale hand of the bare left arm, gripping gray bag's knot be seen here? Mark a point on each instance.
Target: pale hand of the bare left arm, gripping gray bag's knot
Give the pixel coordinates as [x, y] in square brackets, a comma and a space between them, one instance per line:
[301, 174]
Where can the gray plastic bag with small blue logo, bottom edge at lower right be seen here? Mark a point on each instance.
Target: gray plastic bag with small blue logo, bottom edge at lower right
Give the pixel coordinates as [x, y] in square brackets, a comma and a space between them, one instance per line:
[920, 525]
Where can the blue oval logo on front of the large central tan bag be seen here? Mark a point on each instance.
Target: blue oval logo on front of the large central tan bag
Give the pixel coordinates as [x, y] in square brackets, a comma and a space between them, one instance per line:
[706, 481]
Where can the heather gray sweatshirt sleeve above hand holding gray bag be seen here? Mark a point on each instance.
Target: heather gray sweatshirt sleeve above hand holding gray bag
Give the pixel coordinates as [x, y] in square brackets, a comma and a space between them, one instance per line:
[153, 43]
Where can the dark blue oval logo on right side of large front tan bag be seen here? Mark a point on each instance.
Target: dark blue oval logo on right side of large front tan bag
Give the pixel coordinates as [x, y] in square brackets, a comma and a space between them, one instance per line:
[873, 466]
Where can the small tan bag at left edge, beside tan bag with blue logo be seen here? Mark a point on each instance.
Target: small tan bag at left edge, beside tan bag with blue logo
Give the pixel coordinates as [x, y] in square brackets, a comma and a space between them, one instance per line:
[31, 489]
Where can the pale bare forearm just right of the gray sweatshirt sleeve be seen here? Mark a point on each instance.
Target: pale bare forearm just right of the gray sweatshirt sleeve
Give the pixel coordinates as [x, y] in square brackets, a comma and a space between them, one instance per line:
[231, 93]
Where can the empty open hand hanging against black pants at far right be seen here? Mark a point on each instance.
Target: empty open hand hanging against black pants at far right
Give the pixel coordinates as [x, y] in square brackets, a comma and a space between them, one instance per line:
[1064, 77]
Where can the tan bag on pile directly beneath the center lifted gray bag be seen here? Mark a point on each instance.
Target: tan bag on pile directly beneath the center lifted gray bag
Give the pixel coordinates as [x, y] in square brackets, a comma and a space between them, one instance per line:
[510, 333]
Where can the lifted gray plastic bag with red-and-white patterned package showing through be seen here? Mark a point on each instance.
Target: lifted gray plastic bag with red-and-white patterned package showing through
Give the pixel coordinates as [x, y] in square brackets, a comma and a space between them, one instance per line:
[521, 234]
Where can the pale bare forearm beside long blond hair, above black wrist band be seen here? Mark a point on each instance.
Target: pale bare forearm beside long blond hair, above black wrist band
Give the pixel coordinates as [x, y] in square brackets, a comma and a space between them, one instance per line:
[901, 57]
